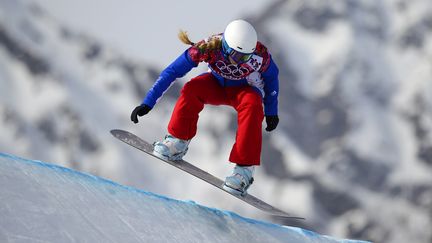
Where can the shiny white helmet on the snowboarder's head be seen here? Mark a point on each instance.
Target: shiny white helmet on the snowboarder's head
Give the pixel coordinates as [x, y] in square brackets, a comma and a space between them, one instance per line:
[240, 36]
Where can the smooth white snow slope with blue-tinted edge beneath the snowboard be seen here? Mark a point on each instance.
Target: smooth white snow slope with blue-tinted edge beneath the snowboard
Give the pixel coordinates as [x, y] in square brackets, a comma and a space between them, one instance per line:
[46, 203]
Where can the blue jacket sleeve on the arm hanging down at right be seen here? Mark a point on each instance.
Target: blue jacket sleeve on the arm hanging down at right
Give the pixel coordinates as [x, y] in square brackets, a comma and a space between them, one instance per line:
[271, 89]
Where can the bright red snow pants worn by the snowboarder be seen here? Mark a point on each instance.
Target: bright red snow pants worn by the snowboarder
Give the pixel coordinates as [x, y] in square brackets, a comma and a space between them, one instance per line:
[205, 89]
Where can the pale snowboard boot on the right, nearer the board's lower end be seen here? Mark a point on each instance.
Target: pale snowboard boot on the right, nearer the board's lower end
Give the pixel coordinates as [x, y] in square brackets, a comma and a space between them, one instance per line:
[240, 180]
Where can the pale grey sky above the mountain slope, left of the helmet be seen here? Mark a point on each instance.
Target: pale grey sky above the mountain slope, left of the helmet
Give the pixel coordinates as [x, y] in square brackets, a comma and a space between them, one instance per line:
[147, 30]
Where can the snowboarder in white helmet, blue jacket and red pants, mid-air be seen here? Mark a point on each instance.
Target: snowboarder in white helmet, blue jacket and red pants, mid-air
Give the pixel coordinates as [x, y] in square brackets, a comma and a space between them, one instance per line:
[241, 74]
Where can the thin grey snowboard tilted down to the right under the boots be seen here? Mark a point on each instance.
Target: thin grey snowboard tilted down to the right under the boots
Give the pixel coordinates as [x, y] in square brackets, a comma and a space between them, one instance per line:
[146, 147]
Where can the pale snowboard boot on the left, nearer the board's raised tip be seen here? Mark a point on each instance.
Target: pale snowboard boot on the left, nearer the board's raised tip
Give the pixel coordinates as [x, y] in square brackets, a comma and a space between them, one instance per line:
[171, 148]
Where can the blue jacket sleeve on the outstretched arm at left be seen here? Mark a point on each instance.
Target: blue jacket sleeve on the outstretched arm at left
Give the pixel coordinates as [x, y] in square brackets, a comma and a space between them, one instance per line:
[177, 69]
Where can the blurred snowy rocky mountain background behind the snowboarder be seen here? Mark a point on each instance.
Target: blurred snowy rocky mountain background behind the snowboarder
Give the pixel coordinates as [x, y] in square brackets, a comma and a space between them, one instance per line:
[353, 151]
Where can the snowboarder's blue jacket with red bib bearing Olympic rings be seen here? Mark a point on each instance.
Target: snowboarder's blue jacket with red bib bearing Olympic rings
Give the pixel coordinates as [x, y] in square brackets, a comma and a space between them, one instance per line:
[259, 72]
